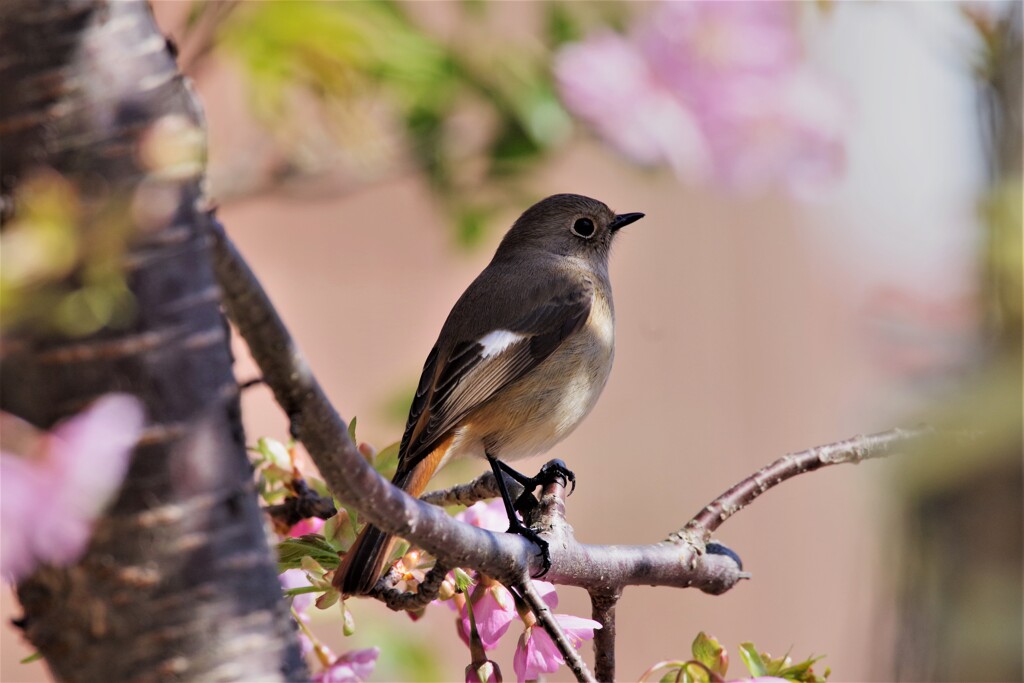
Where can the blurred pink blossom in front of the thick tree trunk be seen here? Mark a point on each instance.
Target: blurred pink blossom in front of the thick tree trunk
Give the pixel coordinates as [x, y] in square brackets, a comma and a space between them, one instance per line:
[55, 489]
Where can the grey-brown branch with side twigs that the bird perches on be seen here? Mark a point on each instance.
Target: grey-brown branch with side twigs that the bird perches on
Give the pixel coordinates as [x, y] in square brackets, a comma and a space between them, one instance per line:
[604, 571]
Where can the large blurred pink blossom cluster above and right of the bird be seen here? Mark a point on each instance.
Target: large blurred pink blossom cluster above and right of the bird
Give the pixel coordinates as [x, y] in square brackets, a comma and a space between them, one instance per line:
[716, 91]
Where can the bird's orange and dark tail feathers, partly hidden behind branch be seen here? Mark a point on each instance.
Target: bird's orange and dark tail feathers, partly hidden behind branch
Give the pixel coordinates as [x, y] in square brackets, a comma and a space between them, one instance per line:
[363, 565]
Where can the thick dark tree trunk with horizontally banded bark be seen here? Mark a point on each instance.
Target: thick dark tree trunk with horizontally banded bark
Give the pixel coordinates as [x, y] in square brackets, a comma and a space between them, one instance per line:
[179, 581]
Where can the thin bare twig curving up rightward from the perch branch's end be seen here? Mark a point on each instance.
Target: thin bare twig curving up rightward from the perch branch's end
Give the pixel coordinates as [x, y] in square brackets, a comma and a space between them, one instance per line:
[849, 451]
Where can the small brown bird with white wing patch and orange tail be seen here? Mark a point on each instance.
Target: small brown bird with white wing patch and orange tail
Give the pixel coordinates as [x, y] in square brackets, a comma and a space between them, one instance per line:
[520, 363]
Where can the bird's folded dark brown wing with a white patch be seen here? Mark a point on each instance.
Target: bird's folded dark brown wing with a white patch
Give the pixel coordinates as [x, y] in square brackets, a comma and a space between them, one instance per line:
[459, 379]
